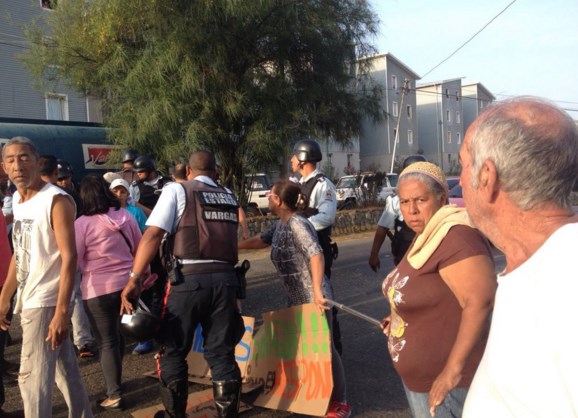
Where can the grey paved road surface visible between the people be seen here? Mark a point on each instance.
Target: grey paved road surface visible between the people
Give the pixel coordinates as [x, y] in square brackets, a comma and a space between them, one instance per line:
[374, 390]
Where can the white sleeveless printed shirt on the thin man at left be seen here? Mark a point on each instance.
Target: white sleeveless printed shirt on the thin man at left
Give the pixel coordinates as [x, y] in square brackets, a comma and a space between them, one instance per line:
[38, 260]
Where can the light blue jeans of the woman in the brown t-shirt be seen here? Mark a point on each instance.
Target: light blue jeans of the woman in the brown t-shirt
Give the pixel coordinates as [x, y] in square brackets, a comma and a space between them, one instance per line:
[451, 407]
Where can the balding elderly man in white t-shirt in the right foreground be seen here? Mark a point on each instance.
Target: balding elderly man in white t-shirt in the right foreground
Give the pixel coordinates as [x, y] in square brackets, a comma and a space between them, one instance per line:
[520, 162]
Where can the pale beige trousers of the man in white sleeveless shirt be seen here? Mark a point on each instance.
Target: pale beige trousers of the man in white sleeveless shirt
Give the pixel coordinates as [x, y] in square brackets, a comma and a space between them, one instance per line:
[41, 367]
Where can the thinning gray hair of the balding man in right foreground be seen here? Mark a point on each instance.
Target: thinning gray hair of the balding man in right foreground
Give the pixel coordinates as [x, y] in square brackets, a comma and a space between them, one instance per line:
[534, 147]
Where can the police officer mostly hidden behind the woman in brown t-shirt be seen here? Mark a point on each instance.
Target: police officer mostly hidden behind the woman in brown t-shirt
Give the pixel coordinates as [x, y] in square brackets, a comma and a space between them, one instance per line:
[392, 220]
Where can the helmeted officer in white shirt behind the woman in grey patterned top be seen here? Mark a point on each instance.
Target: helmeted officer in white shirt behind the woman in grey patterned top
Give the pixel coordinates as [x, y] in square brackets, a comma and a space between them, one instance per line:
[323, 203]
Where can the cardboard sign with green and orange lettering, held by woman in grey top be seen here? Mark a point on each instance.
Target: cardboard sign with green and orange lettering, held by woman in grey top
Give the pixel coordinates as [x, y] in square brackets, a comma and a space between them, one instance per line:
[292, 360]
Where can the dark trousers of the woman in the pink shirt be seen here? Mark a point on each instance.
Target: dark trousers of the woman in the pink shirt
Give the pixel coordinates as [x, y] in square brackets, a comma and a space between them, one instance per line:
[103, 314]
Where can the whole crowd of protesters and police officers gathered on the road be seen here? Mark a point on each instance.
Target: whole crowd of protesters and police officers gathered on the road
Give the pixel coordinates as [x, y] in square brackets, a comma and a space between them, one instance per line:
[464, 341]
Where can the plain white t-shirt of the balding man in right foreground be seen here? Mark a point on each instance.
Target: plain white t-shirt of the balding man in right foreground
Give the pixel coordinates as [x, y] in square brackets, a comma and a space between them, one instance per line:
[530, 365]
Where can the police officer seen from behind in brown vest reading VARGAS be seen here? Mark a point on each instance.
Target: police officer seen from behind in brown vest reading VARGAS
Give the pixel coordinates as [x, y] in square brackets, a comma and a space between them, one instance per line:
[201, 221]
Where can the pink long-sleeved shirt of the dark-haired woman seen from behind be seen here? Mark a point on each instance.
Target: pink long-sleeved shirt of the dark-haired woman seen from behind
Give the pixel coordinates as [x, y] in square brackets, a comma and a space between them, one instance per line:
[104, 255]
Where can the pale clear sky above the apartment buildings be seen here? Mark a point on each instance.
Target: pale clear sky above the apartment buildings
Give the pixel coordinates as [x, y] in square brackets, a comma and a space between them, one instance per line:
[531, 48]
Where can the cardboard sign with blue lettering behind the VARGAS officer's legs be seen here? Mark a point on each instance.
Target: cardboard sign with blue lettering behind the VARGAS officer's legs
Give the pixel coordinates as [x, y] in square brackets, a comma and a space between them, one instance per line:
[199, 369]
